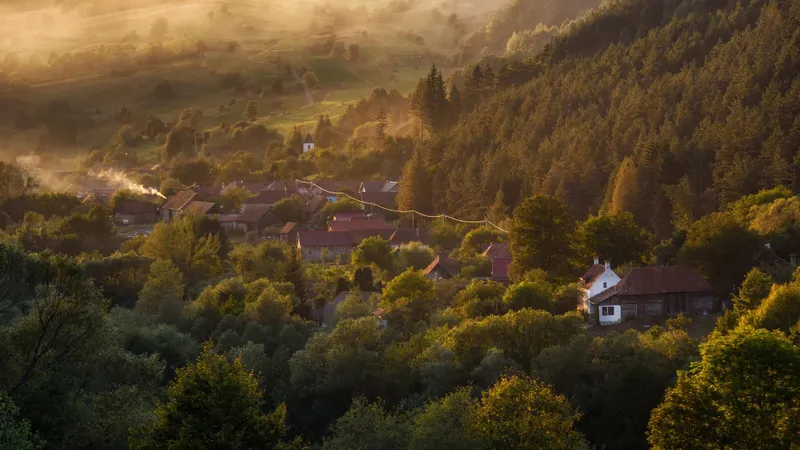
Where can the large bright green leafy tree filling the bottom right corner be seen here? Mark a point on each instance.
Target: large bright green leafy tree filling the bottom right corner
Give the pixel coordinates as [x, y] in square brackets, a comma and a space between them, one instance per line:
[743, 394]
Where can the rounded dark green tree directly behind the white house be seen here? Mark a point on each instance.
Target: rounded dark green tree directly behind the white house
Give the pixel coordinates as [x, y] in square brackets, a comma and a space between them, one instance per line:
[615, 237]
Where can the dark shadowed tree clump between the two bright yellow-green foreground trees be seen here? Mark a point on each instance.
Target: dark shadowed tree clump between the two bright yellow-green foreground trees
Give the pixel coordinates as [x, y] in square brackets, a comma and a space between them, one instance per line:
[616, 379]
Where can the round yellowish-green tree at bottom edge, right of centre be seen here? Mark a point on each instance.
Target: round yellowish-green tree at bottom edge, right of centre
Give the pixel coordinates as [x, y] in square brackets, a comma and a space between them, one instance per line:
[523, 413]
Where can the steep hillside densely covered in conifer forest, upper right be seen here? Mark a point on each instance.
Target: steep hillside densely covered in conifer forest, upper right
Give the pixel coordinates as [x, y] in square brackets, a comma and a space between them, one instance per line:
[667, 109]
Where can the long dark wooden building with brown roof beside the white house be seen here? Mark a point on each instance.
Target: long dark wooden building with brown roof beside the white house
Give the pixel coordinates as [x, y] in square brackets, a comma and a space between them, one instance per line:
[655, 292]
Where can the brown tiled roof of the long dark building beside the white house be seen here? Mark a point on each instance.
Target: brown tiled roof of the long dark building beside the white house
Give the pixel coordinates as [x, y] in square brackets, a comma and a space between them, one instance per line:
[656, 281]
